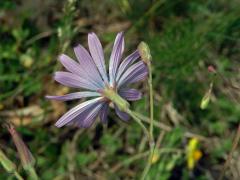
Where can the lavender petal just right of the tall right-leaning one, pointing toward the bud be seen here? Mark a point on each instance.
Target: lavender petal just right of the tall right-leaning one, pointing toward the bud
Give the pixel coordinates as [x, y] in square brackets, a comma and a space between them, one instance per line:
[126, 63]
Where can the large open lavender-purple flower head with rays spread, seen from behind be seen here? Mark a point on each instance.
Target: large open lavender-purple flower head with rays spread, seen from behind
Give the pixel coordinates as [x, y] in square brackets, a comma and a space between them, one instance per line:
[90, 73]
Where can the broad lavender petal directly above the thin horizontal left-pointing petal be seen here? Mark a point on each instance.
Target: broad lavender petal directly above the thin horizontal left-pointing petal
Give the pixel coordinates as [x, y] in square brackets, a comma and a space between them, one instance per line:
[72, 80]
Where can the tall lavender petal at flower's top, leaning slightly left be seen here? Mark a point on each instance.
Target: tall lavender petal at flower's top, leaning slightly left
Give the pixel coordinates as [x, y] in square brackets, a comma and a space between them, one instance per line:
[96, 51]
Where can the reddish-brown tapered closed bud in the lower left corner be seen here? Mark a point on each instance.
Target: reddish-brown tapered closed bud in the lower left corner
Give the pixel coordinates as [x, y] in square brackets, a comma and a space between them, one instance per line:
[23, 151]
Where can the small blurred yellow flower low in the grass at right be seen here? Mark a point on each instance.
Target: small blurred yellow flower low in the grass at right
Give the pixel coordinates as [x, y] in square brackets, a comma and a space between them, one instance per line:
[193, 153]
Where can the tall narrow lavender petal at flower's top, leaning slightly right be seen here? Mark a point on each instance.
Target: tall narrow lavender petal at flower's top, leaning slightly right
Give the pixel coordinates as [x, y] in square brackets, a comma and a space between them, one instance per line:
[116, 56]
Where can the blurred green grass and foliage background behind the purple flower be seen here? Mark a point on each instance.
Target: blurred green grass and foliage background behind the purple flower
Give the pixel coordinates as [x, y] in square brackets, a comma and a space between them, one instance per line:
[184, 37]
